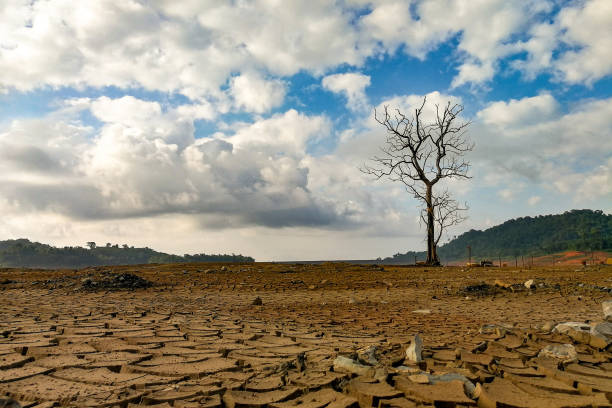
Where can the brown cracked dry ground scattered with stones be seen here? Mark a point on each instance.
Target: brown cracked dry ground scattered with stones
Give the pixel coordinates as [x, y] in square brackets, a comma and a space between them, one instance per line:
[270, 335]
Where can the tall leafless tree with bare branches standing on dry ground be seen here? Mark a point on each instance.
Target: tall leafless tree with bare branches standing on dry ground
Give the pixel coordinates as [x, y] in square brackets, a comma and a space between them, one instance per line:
[419, 154]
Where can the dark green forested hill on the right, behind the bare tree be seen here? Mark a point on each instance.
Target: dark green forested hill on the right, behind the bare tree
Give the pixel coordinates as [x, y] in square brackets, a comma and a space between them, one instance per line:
[580, 230]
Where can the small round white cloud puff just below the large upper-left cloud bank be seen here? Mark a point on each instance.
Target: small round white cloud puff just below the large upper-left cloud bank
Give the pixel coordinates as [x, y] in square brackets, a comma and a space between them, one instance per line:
[256, 94]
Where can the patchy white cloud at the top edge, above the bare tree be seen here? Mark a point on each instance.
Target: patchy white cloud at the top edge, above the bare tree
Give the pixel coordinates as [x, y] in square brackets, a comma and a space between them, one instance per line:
[485, 29]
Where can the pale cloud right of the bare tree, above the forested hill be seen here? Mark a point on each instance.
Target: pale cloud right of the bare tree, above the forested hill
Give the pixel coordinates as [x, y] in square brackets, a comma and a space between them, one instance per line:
[532, 140]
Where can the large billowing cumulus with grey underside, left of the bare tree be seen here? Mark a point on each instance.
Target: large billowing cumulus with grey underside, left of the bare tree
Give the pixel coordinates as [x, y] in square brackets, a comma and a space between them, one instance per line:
[144, 161]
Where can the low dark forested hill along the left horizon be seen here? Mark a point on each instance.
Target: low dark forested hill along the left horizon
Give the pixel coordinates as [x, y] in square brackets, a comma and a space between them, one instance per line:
[24, 253]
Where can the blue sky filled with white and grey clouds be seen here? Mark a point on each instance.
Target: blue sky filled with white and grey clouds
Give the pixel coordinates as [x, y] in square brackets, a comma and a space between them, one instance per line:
[240, 126]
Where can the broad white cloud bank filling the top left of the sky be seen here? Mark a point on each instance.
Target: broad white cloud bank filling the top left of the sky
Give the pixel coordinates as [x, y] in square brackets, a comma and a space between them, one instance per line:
[192, 49]
